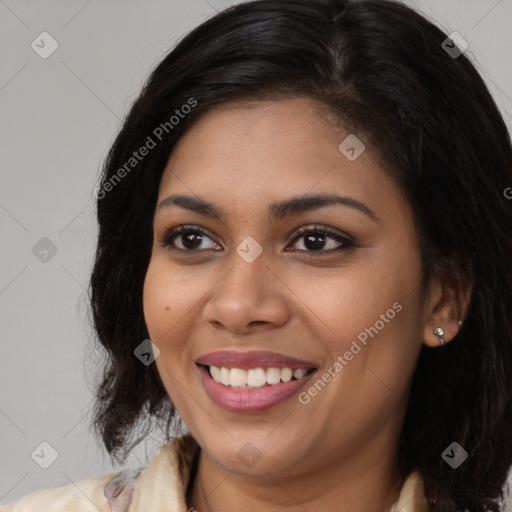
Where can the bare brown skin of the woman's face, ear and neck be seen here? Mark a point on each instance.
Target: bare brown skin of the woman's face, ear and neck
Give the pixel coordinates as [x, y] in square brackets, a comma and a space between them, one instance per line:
[337, 452]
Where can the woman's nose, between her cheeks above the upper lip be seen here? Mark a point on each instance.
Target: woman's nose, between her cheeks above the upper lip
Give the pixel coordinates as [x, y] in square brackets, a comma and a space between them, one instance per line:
[248, 298]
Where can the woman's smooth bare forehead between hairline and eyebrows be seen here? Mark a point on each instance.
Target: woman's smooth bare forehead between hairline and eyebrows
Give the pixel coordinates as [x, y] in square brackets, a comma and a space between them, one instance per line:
[255, 149]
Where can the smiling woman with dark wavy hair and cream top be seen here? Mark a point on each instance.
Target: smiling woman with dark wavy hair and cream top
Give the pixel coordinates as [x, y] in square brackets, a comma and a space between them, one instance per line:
[305, 250]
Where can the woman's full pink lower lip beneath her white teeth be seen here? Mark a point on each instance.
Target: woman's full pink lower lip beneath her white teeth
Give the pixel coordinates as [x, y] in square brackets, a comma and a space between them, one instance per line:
[250, 400]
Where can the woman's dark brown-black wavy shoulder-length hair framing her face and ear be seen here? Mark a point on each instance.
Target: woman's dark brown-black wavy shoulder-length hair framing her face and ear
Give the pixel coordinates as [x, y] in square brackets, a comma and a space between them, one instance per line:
[380, 68]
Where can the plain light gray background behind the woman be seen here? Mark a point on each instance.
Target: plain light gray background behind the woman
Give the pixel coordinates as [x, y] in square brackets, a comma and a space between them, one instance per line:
[58, 117]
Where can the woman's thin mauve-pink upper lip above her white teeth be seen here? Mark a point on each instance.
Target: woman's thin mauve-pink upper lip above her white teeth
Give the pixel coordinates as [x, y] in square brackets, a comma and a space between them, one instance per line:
[246, 360]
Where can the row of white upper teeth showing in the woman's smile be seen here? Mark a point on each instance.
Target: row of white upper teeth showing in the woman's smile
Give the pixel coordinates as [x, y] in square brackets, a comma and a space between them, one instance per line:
[256, 377]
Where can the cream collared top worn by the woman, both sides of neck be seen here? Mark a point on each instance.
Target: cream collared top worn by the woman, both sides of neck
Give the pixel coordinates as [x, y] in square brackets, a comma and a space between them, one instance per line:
[159, 487]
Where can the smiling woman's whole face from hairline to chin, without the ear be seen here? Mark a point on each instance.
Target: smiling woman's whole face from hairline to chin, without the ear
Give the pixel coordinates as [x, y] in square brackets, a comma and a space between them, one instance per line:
[255, 296]
